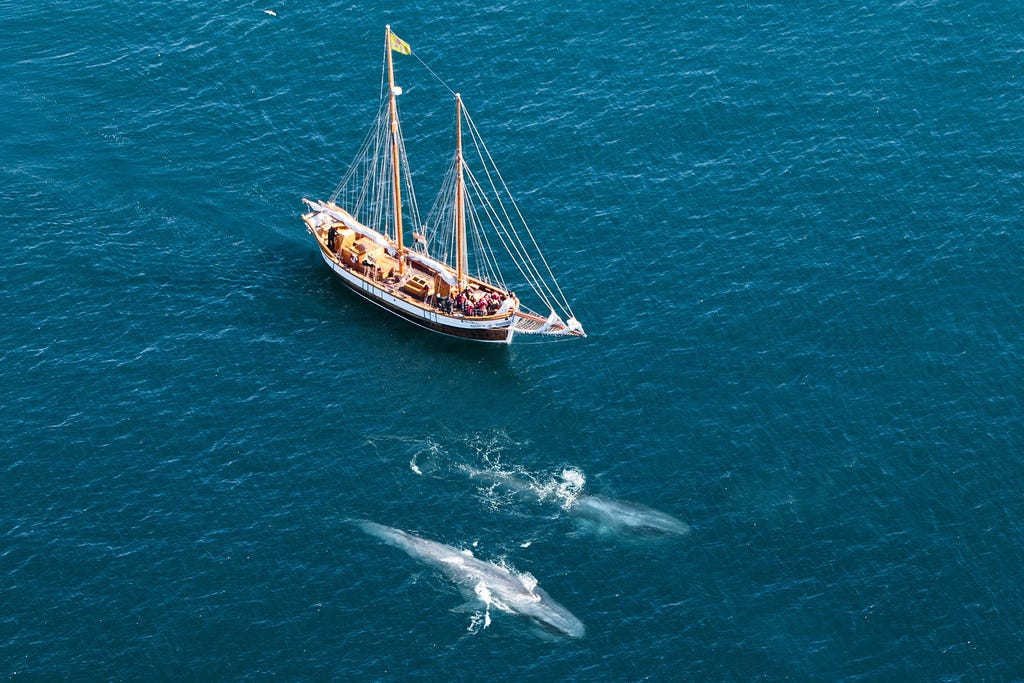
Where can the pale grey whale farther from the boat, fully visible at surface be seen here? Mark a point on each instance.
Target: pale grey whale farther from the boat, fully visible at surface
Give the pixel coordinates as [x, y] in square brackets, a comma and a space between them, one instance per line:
[487, 583]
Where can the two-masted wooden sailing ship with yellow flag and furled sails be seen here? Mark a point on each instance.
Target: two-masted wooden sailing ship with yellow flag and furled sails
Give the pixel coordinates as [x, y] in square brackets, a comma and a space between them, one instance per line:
[440, 283]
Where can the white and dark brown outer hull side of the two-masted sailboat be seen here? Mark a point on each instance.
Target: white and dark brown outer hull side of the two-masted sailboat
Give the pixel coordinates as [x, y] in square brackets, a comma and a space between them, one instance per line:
[496, 331]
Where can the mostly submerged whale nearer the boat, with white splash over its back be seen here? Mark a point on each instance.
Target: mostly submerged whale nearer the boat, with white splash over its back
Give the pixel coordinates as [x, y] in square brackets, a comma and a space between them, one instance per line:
[618, 517]
